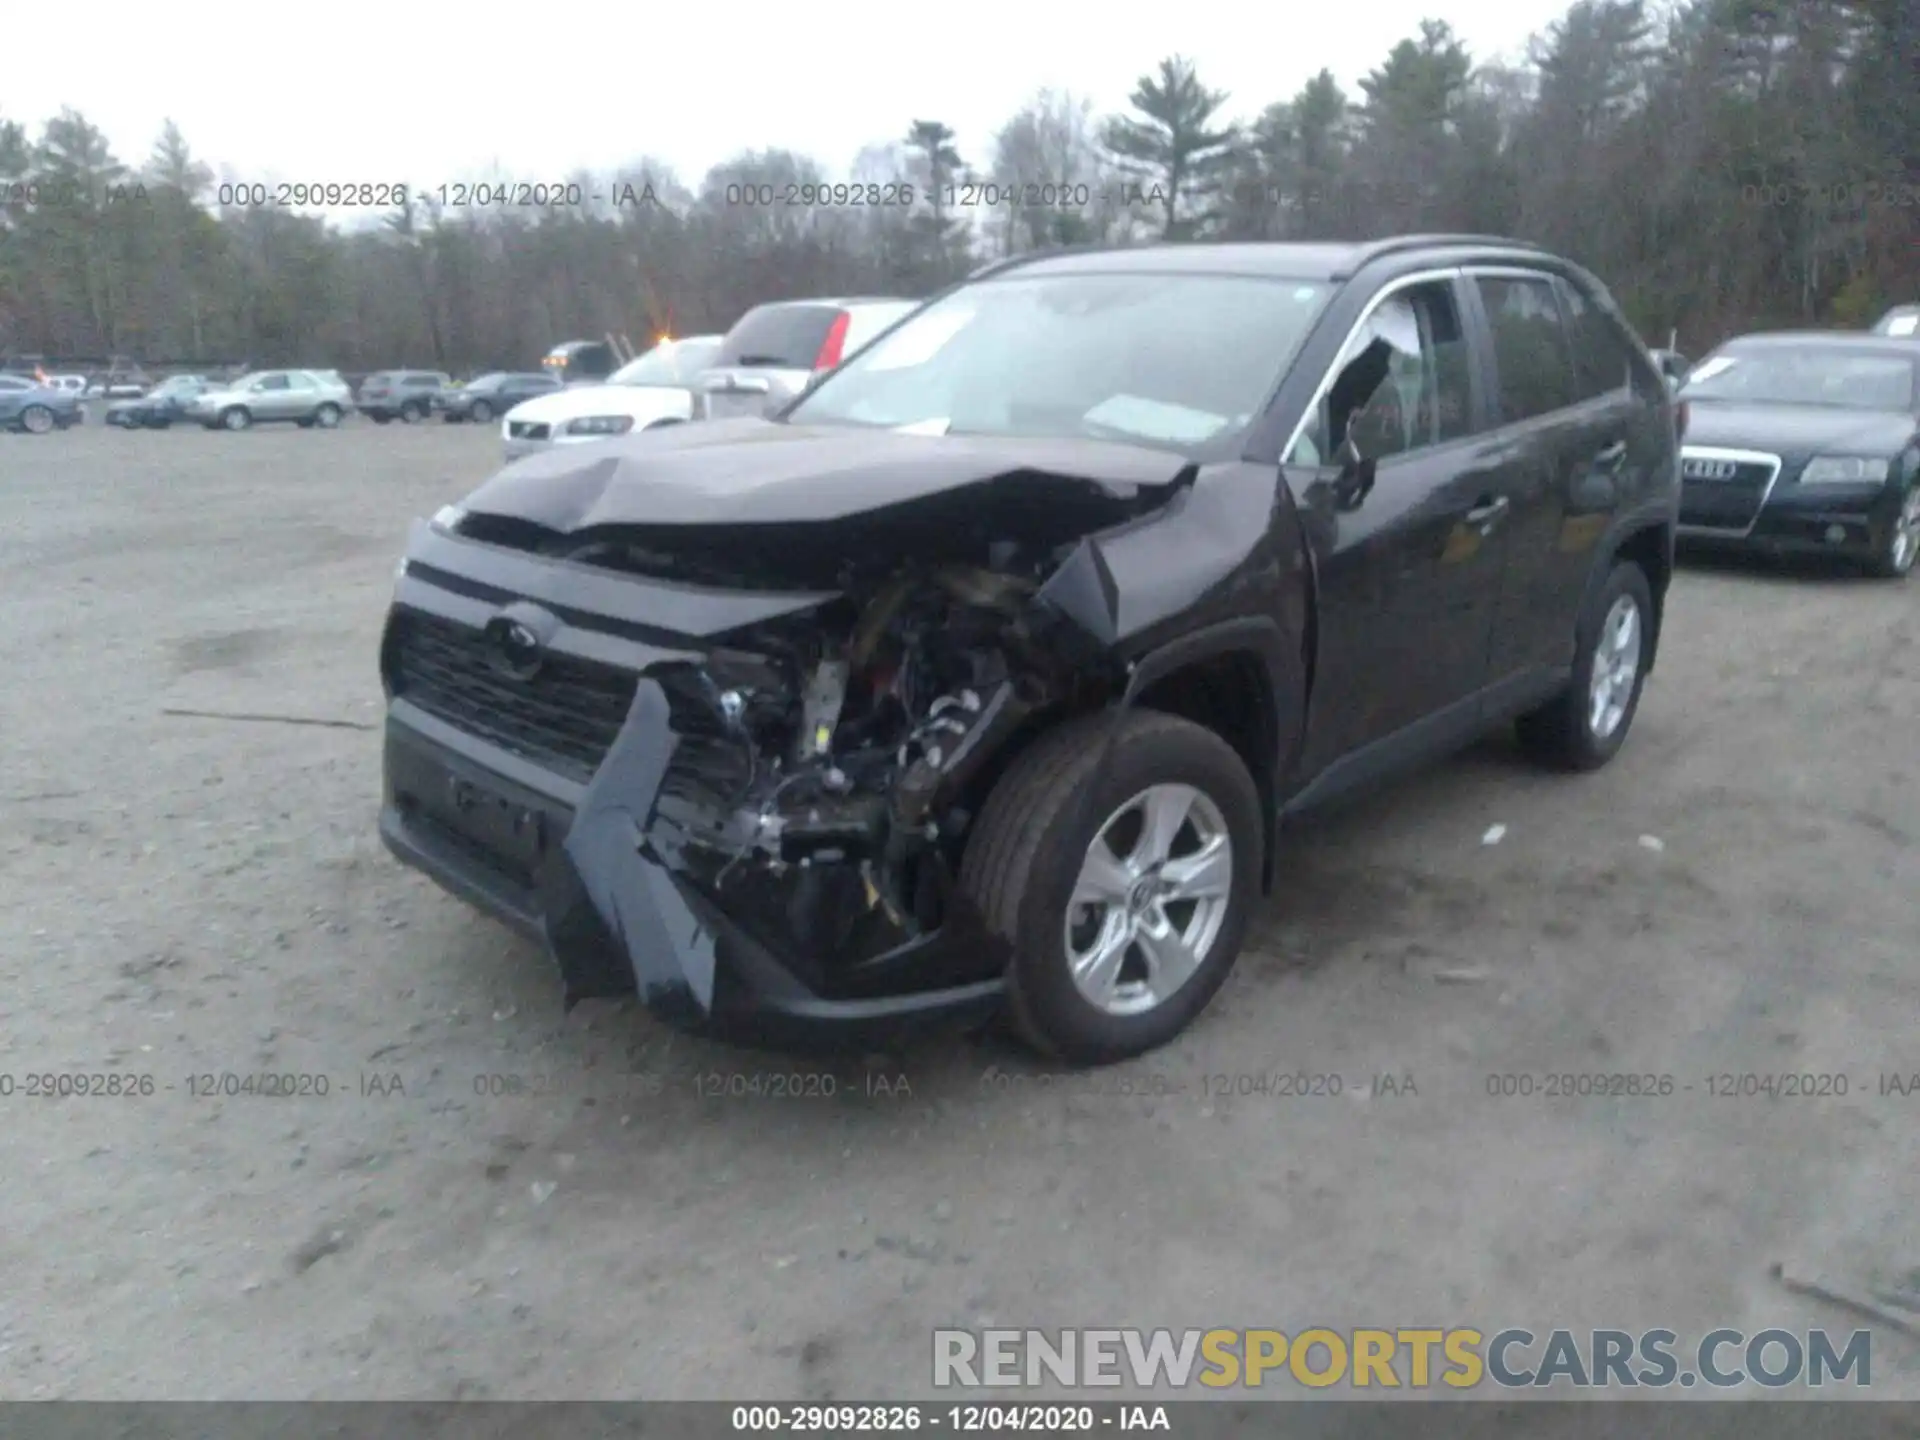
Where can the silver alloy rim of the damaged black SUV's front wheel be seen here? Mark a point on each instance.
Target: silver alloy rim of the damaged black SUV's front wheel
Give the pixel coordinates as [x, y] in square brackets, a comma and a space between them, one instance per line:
[1145, 917]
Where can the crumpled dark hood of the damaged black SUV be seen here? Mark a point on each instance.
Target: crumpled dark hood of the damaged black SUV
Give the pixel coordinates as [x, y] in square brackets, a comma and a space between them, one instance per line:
[765, 473]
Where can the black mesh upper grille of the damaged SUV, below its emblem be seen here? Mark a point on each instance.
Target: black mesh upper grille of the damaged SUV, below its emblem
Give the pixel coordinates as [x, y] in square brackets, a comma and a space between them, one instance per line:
[564, 719]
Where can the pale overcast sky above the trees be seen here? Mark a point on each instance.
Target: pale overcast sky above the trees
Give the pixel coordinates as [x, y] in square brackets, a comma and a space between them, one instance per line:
[441, 93]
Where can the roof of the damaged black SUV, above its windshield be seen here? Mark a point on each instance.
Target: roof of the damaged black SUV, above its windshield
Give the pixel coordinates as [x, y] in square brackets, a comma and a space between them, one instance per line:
[1332, 260]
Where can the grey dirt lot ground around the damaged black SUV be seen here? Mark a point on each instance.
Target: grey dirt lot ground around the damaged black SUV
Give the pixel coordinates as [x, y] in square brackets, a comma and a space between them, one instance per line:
[201, 898]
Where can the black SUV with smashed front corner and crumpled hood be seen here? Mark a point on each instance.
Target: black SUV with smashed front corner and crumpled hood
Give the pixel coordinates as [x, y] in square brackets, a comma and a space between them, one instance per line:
[988, 673]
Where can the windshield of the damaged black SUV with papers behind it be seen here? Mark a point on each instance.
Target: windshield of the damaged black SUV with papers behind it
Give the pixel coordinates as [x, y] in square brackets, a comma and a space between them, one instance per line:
[1163, 360]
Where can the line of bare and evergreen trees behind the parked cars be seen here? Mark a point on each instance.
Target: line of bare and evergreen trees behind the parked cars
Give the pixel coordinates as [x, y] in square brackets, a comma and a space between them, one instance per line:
[1719, 164]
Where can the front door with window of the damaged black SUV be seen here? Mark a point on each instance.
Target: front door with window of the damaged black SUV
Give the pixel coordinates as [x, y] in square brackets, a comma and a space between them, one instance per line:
[1406, 531]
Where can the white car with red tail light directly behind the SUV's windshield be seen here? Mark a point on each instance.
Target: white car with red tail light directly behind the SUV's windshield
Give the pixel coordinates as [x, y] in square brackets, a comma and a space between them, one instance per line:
[777, 350]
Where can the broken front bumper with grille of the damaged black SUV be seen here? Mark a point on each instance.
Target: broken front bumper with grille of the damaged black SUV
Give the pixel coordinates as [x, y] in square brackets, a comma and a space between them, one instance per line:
[594, 853]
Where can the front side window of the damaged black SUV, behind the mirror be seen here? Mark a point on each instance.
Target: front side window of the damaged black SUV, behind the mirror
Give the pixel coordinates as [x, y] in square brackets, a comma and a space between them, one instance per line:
[1401, 387]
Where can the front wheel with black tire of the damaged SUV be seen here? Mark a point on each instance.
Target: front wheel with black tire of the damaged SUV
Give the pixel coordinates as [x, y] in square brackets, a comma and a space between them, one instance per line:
[1124, 888]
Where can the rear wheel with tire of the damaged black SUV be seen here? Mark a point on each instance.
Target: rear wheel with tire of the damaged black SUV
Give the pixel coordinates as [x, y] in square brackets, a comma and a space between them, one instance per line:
[1587, 725]
